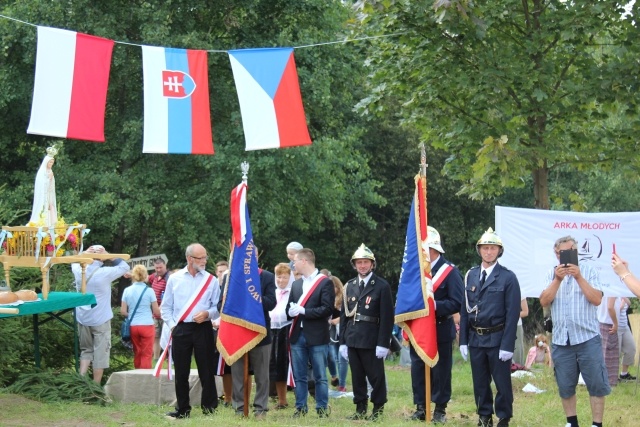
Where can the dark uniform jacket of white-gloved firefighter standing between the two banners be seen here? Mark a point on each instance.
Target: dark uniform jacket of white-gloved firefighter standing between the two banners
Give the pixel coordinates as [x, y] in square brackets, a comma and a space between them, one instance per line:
[375, 301]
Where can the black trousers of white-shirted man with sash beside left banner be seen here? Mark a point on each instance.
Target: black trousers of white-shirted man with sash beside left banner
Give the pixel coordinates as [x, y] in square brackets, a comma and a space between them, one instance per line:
[194, 339]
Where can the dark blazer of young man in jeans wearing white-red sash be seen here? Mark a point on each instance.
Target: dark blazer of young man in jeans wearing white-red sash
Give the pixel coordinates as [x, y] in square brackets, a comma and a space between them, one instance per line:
[318, 310]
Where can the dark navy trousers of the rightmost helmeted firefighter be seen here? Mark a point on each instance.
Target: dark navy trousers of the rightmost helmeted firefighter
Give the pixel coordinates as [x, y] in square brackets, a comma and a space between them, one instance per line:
[485, 366]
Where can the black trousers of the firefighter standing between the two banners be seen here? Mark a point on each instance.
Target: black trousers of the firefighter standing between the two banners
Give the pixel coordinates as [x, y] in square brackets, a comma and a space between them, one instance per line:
[364, 364]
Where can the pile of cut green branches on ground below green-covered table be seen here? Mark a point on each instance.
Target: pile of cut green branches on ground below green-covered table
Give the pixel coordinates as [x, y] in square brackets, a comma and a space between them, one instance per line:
[51, 386]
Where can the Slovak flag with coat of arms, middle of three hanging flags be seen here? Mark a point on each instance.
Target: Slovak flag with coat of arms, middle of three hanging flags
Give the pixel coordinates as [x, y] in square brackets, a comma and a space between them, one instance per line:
[176, 101]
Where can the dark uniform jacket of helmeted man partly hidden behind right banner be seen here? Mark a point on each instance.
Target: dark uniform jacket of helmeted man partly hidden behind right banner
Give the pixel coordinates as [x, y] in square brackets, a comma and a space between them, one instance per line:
[449, 298]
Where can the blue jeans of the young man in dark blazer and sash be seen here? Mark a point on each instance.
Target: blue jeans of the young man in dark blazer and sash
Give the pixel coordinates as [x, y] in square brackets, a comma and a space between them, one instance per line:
[301, 355]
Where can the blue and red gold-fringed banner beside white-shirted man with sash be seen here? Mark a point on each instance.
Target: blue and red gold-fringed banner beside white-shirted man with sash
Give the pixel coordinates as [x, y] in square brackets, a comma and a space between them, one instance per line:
[242, 323]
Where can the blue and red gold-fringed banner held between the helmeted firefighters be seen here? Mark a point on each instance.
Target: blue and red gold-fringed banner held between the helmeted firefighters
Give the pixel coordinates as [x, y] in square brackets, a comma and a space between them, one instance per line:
[415, 307]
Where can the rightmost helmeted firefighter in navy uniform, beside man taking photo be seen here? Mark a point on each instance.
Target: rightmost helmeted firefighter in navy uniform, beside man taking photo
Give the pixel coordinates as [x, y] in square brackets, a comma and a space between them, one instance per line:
[488, 323]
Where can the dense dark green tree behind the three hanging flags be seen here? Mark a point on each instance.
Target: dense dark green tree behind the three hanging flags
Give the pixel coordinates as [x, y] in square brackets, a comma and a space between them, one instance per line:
[144, 203]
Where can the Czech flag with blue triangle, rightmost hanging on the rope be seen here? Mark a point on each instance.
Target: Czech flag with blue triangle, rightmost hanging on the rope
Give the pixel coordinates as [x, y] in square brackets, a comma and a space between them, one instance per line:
[270, 100]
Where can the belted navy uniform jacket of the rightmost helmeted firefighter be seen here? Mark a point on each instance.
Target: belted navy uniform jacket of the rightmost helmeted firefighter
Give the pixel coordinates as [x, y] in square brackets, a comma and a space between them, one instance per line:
[498, 302]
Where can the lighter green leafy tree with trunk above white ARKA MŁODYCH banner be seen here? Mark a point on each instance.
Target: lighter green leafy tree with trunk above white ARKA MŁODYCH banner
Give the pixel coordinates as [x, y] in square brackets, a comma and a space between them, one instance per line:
[510, 89]
